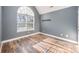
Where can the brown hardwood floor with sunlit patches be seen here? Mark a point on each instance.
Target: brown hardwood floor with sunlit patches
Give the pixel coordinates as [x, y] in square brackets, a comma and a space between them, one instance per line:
[39, 43]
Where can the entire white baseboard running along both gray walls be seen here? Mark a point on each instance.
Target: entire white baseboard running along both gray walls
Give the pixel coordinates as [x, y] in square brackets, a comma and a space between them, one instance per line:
[40, 33]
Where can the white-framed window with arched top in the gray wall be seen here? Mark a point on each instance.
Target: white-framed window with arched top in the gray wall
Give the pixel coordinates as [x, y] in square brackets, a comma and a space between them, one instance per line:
[25, 19]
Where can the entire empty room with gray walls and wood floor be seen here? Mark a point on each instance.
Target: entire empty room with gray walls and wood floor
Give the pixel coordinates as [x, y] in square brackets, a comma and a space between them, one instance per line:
[39, 29]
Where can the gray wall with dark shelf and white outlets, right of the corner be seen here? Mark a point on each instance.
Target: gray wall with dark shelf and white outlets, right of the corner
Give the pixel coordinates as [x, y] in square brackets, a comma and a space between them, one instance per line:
[62, 22]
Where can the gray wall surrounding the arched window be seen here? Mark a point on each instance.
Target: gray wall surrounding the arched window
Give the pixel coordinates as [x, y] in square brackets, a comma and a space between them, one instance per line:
[9, 28]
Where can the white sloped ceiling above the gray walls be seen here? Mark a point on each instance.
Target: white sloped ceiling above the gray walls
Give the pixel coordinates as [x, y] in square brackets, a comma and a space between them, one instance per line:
[47, 9]
